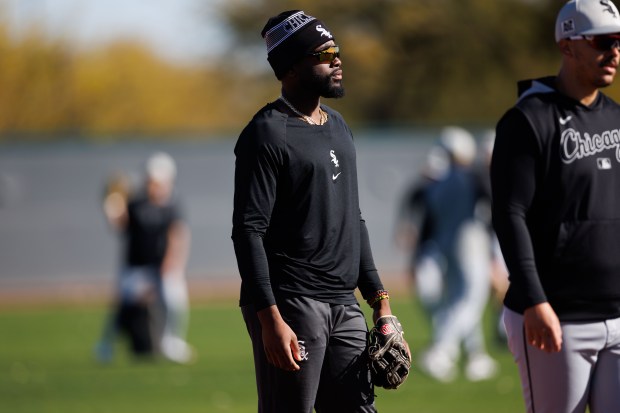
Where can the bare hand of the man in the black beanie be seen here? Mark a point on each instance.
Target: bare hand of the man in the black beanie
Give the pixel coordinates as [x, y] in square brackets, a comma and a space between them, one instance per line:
[279, 340]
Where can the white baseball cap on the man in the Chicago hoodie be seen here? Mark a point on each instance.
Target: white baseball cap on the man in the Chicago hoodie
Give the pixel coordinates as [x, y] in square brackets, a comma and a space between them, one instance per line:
[587, 17]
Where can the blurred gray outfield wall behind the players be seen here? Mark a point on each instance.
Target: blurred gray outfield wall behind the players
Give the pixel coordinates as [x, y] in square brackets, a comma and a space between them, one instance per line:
[52, 228]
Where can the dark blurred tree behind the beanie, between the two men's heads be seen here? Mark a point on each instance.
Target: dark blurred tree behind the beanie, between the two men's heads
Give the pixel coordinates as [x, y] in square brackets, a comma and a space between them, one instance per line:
[425, 61]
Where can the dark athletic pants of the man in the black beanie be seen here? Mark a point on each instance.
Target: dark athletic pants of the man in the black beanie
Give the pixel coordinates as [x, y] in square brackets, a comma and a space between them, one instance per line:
[334, 375]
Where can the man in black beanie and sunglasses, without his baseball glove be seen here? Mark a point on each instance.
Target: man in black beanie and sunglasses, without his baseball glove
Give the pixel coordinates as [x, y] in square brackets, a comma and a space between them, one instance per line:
[301, 244]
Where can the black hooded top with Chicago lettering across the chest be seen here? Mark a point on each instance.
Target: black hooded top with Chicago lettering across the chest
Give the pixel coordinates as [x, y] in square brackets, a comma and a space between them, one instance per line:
[555, 178]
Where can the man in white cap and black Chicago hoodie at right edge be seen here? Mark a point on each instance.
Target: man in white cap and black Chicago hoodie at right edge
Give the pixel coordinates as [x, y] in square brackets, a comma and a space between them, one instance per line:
[556, 210]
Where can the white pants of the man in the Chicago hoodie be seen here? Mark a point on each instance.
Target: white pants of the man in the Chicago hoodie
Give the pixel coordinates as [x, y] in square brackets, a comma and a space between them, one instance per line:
[586, 372]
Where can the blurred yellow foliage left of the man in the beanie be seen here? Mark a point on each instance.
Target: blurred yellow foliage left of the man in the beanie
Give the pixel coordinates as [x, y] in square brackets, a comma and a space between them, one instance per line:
[49, 88]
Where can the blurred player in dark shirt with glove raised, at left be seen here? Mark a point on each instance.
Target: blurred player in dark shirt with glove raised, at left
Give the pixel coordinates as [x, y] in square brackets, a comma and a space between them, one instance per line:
[152, 307]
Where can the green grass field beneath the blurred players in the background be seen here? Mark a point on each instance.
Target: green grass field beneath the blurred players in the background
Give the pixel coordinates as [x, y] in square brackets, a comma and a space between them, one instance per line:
[47, 365]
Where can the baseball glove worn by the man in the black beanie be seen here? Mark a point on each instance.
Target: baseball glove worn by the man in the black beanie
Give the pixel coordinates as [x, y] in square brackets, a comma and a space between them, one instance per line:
[389, 359]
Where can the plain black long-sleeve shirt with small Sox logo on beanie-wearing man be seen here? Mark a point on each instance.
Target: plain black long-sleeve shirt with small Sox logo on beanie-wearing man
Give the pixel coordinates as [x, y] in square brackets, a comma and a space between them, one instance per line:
[297, 226]
